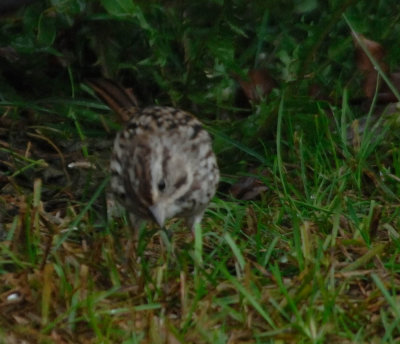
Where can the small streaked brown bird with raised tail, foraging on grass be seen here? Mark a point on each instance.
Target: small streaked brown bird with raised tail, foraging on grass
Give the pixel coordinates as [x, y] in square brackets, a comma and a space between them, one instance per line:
[162, 165]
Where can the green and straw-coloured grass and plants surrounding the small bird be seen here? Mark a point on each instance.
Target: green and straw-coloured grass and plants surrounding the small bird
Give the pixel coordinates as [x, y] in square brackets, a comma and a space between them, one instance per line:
[313, 260]
